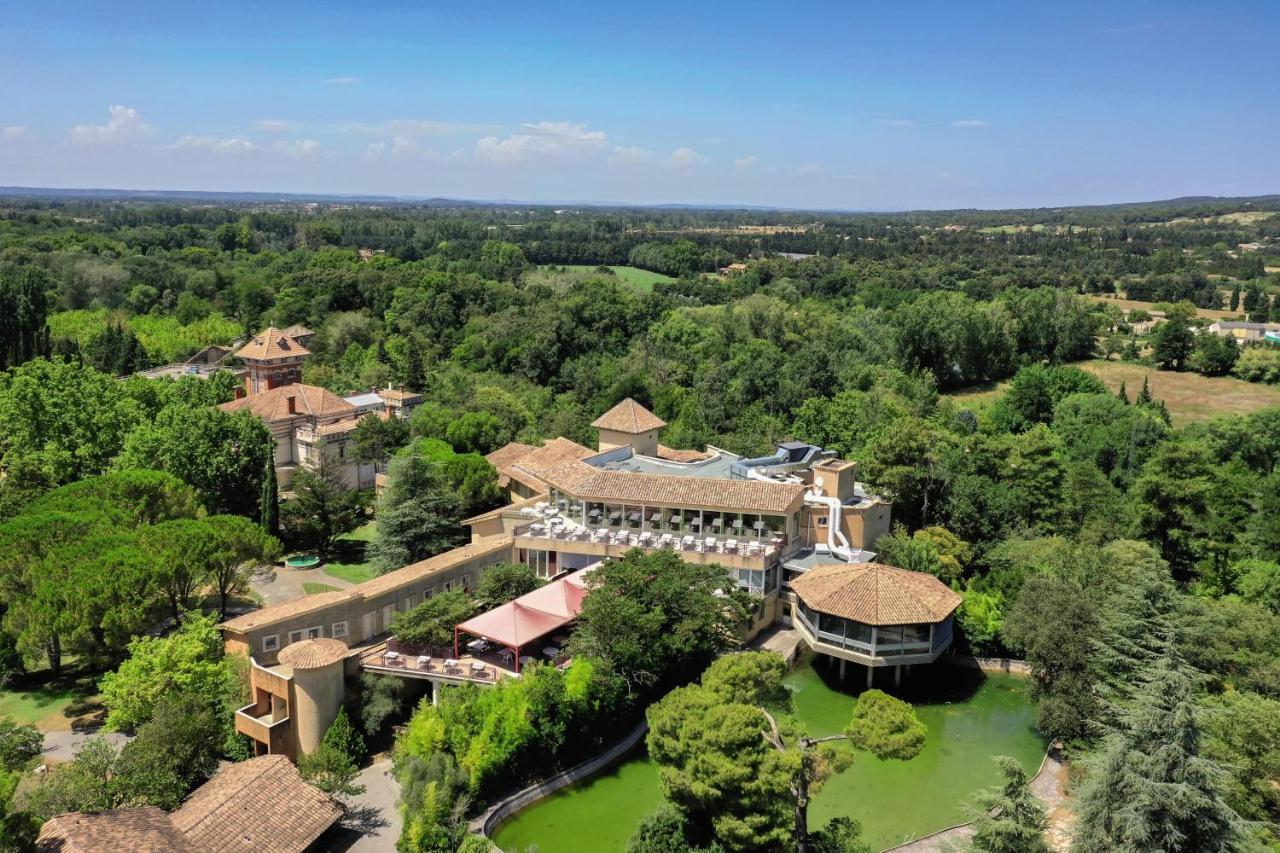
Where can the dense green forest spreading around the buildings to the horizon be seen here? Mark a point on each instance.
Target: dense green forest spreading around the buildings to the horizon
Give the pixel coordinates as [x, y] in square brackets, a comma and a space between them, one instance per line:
[1121, 555]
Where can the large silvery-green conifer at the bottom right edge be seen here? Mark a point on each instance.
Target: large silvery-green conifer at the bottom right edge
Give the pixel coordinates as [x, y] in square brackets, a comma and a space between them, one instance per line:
[1151, 791]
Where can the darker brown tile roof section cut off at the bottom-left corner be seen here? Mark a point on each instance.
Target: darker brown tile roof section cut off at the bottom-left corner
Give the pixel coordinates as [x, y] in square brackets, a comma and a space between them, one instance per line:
[138, 831]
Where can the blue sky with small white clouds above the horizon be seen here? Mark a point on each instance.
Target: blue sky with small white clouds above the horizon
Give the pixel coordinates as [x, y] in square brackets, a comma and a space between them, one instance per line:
[851, 106]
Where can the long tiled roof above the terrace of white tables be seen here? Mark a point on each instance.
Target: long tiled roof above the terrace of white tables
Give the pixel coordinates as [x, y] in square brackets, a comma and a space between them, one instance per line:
[591, 483]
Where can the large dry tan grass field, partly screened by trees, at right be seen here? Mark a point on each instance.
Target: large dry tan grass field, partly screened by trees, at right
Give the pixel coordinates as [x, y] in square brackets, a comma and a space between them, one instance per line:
[1190, 396]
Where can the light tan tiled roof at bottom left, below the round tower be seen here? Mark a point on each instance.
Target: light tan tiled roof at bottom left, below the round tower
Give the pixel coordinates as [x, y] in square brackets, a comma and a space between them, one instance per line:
[257, 806]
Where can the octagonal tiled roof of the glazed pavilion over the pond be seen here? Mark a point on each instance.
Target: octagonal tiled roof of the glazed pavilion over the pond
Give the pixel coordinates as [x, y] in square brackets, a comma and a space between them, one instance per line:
[876, 595]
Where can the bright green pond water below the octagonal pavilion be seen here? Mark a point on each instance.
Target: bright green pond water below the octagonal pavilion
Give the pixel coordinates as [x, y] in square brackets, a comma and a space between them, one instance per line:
[971, 719]
